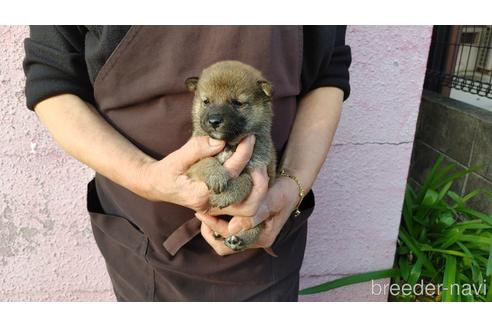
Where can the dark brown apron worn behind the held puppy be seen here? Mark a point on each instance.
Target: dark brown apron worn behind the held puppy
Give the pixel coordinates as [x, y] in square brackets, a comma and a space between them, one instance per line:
[154, 250]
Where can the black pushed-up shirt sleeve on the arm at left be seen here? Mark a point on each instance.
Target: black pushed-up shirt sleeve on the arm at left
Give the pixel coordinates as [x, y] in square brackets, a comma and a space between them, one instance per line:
[54, 64]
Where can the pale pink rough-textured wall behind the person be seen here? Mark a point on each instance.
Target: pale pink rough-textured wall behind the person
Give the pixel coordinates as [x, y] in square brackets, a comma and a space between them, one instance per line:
[47, 250]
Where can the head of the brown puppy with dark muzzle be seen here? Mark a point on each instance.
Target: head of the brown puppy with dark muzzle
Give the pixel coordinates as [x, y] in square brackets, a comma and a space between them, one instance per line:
[232, 100]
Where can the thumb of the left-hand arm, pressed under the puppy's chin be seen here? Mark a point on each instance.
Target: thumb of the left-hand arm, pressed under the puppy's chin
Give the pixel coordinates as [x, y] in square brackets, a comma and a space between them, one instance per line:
[197, 148]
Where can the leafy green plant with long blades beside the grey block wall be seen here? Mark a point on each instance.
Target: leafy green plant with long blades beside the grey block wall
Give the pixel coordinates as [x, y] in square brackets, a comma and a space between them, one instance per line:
[442, 242]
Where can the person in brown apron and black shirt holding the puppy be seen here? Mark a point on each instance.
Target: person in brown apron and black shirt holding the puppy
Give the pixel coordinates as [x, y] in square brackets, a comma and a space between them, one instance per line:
[114, 98]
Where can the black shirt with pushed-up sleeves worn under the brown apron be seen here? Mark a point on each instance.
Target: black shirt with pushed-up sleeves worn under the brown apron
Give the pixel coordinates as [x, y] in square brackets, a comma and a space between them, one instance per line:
[67, 59]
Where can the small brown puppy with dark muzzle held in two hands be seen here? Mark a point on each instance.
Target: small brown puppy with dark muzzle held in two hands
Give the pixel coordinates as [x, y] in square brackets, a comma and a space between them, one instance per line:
[232, 100]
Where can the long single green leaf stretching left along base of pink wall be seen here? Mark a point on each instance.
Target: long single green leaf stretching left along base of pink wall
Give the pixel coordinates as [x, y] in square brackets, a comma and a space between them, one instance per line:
[354, 279]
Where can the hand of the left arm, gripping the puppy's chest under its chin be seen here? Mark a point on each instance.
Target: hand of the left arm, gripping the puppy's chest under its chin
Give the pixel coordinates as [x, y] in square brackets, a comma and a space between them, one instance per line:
[166, 180]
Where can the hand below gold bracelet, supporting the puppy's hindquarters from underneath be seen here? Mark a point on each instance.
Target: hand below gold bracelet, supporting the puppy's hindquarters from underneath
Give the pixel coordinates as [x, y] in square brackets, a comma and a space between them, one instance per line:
[272, 213]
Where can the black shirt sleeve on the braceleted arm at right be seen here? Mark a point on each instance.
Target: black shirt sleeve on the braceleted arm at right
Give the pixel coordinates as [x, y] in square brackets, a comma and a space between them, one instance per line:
[326, 59]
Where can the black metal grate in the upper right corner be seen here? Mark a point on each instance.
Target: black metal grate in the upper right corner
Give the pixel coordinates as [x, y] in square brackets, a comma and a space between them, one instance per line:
[460, 57]
